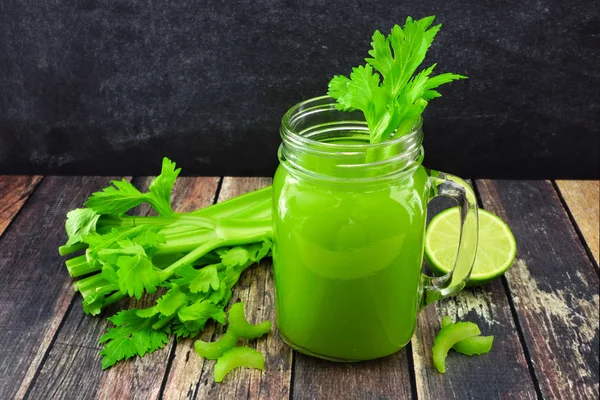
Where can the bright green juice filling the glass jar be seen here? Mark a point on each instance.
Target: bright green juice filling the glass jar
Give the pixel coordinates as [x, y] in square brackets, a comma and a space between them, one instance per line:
[347, 264]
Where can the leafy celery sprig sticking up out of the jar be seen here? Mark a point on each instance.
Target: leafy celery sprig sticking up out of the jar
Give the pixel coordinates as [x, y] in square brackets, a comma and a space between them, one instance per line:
[393, 105]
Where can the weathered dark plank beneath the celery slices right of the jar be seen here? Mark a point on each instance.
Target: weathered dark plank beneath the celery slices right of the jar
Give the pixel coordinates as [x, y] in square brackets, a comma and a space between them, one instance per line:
[501, 373]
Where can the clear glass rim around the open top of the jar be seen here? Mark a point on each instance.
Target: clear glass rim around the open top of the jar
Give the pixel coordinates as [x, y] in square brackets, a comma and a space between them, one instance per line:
[295, 136]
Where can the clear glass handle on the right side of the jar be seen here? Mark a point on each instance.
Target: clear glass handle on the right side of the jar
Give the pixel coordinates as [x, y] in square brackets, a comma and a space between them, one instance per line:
[443, 184]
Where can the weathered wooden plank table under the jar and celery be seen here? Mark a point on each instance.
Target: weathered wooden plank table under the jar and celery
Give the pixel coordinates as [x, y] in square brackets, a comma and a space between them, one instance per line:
[543, 312]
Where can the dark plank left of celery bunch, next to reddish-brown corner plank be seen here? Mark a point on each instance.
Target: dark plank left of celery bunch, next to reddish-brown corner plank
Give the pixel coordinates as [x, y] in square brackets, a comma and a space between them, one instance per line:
[35, 290]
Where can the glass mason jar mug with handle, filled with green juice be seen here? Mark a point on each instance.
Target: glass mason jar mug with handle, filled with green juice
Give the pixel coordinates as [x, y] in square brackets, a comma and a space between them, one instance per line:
[349, 224]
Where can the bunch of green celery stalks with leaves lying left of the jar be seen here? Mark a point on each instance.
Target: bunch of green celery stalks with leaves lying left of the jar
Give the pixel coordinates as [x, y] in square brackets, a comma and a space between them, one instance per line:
[196, 257]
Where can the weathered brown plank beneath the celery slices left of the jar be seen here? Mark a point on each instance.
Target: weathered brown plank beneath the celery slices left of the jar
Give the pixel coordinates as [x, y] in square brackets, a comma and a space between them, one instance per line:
[192, 377]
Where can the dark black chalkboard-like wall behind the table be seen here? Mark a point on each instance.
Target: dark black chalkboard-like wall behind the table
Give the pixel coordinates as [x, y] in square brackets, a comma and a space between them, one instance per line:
[110, 87]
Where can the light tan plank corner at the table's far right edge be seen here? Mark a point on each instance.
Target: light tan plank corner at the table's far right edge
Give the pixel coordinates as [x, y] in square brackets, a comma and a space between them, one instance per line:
[583, 200]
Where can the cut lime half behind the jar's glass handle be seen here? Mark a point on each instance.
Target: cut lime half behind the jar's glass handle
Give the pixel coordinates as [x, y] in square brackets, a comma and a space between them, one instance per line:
[495, 253]
